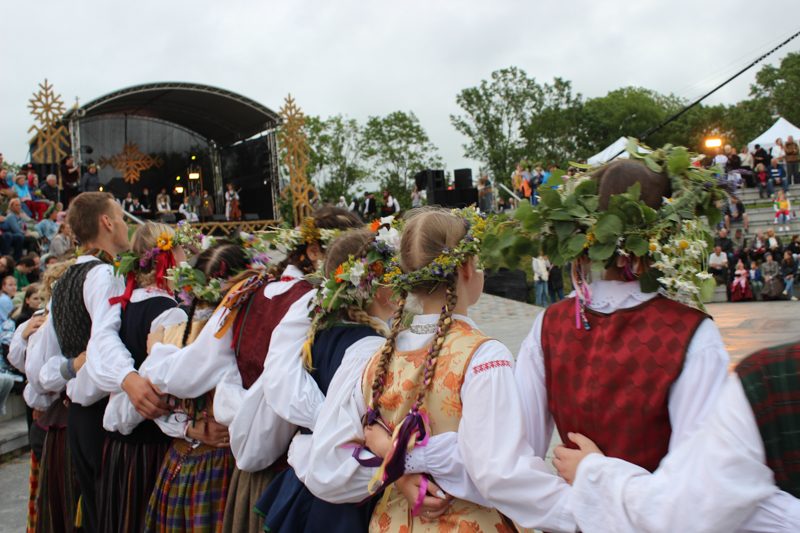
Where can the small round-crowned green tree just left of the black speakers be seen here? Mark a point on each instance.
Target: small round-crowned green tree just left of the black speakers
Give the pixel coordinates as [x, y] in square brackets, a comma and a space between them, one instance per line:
[397, 147]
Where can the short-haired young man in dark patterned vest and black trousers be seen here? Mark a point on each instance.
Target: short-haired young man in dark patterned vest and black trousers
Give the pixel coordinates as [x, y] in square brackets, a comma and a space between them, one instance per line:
[82, 319]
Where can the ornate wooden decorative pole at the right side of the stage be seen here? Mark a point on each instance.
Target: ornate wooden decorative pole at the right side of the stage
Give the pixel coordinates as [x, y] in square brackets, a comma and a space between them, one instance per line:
[294, 143]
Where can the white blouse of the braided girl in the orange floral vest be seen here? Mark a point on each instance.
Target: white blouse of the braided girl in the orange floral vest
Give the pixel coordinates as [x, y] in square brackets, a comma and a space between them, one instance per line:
[491, 447]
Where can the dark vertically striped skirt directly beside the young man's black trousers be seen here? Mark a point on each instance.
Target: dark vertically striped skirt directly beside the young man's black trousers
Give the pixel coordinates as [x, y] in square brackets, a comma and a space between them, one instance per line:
[126, 483]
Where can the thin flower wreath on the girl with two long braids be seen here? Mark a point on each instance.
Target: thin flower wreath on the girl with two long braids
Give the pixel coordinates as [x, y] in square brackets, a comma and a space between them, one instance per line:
[444, 267]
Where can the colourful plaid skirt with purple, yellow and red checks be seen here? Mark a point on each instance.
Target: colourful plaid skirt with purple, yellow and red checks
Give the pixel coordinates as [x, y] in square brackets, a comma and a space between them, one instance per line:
[190, 490]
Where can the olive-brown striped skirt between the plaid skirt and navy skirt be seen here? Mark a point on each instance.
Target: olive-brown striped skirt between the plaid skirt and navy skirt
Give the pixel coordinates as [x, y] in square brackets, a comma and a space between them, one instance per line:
[246, 489]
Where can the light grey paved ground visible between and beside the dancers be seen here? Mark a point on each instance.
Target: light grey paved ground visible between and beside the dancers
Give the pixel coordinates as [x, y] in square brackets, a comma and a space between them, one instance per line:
[745, 328]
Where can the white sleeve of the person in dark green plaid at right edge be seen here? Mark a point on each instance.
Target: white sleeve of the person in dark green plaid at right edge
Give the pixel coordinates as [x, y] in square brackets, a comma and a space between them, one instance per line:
[716, 480]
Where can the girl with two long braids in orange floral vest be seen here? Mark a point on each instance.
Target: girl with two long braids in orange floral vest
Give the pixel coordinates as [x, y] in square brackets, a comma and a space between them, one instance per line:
[438, 387]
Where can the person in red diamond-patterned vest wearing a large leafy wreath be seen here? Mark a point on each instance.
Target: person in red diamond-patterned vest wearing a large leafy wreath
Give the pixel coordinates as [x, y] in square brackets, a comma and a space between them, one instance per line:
[634, 370]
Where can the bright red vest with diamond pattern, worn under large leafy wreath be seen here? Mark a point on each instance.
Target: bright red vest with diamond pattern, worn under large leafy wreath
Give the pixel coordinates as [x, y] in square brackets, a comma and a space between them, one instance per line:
[612, 383]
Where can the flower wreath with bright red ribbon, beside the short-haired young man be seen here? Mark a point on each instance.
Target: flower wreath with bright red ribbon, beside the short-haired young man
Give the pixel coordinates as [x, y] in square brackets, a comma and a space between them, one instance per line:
[158, 260]
